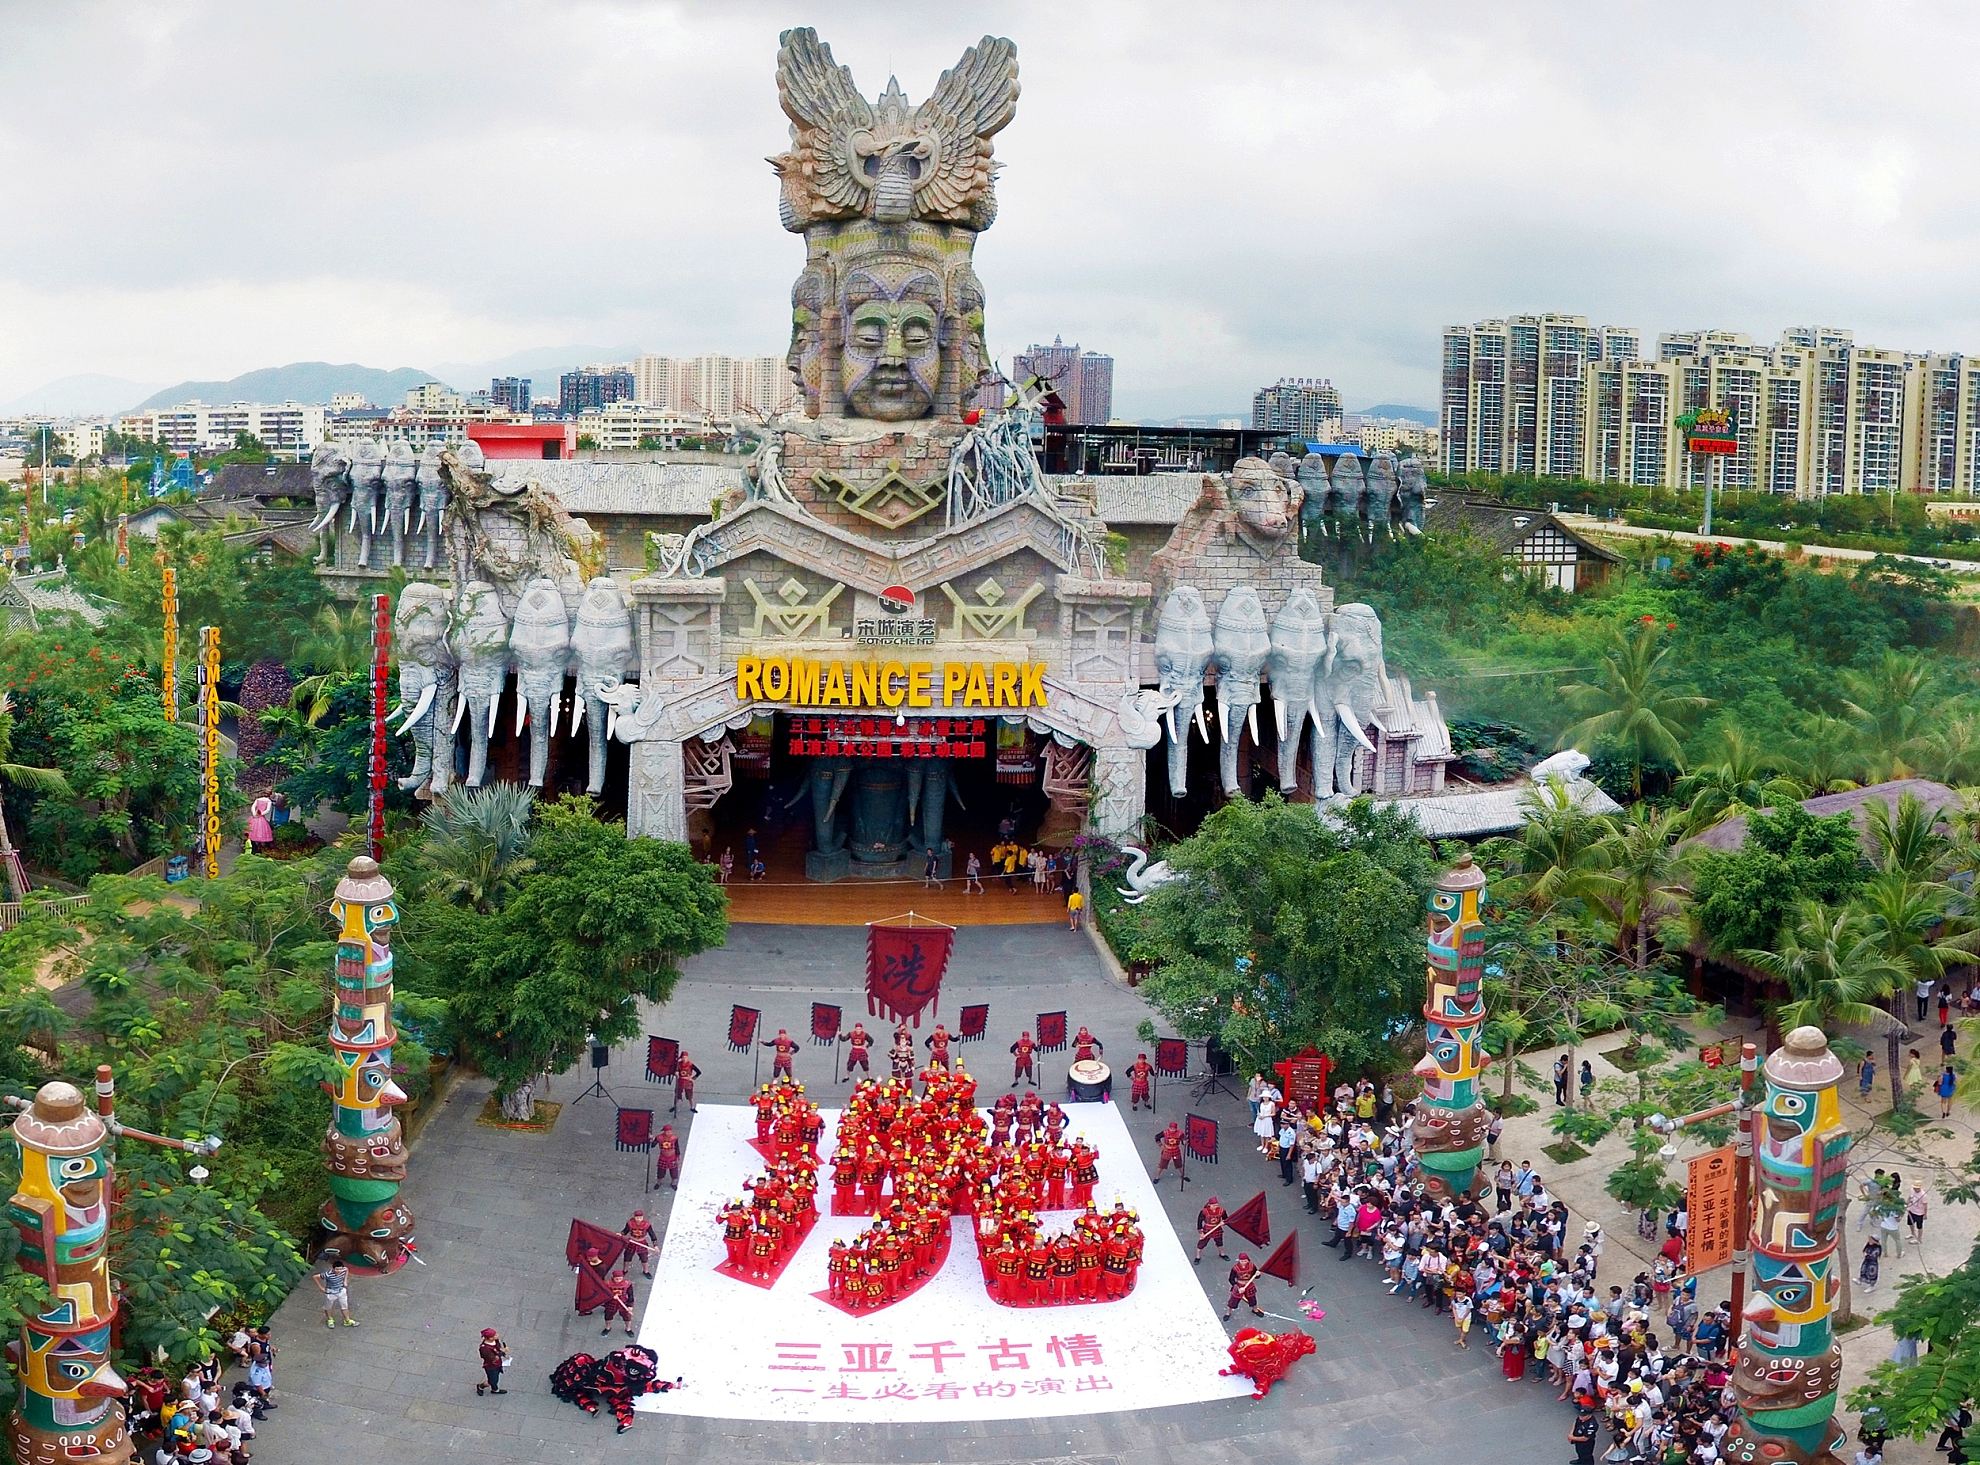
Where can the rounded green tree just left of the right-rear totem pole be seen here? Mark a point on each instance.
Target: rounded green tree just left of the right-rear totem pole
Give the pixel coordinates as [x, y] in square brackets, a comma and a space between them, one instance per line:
[1290, 929]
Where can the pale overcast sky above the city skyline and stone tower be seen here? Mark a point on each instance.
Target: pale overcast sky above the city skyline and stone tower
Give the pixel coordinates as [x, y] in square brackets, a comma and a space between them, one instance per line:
[1215, 193]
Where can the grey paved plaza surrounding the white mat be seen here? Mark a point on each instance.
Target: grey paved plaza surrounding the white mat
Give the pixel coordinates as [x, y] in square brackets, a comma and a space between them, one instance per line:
[494, 1209]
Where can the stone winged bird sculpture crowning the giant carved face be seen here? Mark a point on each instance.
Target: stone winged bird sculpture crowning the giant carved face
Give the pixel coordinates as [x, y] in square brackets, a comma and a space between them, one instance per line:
[856, 159]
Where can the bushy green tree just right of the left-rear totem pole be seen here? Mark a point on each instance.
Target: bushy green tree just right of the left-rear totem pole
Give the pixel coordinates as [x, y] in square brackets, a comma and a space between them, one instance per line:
[599, 928]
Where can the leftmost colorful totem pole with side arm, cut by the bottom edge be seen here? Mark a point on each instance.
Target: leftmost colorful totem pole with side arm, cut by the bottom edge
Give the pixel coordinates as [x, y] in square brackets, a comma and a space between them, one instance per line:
[70, 1405]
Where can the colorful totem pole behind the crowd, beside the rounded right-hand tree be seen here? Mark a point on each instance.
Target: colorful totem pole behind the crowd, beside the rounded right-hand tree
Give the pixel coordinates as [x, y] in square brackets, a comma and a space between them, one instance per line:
[1450, 1118]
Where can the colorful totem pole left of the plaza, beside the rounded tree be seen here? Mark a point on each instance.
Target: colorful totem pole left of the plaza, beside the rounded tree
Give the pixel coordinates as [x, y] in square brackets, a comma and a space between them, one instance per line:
[365, 1147]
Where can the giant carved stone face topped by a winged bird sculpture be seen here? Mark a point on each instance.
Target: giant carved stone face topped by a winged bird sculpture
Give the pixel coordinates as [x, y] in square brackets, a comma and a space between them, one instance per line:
[888, 314]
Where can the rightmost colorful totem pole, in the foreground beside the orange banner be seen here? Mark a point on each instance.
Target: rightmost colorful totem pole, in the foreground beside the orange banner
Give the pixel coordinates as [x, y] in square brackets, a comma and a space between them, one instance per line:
[1791, 1365]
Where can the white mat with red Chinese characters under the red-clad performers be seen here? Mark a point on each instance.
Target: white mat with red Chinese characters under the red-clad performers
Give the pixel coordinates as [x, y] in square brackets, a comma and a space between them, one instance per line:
[943, 1353]
